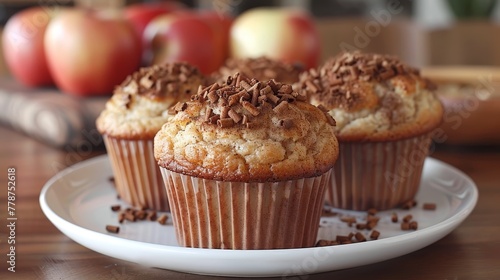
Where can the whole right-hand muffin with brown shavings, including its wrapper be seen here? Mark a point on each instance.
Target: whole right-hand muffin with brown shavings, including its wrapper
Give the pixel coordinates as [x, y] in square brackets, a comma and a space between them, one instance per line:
[385, 112]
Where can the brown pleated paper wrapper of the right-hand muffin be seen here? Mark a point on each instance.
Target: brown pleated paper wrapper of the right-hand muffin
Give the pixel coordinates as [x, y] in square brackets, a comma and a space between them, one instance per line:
[380, 175]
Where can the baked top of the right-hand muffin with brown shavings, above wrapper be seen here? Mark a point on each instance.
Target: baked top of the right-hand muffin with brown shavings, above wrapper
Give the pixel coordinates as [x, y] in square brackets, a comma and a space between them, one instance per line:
[373, 97]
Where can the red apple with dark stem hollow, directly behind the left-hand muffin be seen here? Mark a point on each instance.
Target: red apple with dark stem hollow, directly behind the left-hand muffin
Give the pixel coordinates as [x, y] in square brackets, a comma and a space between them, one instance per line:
[182, 36]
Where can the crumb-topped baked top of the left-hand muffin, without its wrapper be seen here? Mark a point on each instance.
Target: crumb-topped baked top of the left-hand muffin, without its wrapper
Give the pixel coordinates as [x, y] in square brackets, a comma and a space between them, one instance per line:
[139, 105]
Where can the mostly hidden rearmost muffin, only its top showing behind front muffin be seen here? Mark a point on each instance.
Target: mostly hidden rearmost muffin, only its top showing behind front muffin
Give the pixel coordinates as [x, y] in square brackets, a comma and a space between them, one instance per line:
[261, 68]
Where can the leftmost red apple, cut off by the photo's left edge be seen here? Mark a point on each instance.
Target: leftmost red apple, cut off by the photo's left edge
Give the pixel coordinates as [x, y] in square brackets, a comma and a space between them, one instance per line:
[23, 49]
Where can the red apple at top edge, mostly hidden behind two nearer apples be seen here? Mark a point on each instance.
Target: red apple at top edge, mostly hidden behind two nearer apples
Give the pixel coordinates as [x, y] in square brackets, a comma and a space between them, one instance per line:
[140, 14]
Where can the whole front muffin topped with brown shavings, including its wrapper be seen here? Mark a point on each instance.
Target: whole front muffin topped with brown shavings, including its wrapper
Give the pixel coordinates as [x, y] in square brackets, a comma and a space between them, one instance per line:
[246, 165]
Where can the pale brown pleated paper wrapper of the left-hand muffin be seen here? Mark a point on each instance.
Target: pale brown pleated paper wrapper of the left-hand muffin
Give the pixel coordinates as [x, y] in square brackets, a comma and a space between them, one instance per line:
[137, 176]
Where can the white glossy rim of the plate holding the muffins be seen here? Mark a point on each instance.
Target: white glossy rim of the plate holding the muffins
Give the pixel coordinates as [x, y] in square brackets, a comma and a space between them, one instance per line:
[442, 228]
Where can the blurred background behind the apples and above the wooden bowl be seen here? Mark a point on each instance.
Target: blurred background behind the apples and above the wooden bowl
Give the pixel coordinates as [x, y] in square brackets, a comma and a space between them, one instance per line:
[423, 32]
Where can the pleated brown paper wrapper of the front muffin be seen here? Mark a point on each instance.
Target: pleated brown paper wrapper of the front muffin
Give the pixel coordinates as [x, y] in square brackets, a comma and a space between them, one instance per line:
[237, 215]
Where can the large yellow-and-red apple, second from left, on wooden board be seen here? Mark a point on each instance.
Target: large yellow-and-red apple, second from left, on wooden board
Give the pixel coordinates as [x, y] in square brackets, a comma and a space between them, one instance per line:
[90, 52]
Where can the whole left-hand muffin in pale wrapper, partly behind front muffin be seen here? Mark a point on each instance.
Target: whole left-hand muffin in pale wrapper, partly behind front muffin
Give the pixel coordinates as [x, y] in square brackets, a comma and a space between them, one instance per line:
[128, 124]
